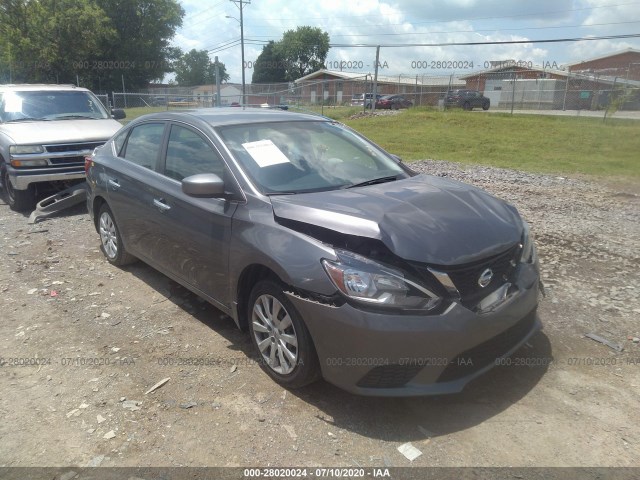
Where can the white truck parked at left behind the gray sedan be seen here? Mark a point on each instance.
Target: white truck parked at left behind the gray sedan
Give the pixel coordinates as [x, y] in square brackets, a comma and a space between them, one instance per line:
[45, 133]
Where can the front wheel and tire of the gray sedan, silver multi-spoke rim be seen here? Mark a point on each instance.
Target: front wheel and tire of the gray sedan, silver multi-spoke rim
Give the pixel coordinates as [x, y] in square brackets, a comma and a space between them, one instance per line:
[280, 337]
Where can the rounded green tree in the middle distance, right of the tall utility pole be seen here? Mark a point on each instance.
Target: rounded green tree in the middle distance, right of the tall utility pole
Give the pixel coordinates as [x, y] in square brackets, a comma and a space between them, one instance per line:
[303, 51]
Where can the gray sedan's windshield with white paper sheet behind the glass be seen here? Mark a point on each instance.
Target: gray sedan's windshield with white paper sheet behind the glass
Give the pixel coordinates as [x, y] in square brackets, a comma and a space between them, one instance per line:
[297, 157]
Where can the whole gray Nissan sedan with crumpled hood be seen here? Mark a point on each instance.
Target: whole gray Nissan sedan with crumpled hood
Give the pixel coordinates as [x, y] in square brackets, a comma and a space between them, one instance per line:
[340, 260]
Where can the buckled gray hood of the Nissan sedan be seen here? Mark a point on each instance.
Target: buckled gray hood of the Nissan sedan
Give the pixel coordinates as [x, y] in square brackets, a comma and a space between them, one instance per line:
[423, 218]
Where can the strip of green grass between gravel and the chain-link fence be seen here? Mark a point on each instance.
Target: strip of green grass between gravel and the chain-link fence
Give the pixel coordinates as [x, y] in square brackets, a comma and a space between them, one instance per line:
[536, 143]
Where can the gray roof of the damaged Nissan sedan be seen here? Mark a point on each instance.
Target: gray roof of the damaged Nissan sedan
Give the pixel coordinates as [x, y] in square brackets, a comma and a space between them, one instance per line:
[220, 116]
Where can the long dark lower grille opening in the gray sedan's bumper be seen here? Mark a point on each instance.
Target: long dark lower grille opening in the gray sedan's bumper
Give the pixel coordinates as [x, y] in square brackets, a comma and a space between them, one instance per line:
[480, 356]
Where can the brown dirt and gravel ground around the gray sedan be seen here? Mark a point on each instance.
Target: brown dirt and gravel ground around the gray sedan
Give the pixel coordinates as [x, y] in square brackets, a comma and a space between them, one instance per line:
[82, 341]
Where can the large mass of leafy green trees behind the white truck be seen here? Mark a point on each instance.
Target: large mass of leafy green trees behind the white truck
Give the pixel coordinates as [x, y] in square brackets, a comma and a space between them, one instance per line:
[101, 42]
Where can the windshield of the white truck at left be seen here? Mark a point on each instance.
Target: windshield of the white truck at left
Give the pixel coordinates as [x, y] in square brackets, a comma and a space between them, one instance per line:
[49, 105]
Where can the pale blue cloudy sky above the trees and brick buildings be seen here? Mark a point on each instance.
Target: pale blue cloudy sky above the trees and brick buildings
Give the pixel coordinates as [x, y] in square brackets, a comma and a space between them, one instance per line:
[386, 22]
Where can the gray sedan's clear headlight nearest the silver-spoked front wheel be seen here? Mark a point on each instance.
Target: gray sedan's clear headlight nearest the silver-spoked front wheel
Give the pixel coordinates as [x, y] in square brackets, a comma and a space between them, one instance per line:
[372, 283]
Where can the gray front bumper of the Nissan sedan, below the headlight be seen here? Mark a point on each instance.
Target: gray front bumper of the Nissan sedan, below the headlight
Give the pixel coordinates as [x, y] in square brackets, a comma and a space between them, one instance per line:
[382, 354]
